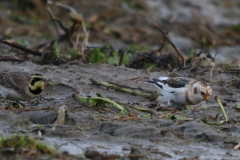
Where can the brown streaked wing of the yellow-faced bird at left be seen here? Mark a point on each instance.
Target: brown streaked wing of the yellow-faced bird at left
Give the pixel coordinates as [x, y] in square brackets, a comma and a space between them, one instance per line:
[14, 80]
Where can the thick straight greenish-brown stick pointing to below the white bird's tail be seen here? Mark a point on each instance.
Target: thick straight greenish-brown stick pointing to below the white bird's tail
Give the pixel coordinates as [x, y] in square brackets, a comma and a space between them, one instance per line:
[123, 89]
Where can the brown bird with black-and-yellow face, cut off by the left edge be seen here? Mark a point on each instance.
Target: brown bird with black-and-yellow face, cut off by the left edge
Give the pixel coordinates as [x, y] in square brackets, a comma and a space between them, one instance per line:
[21, 86]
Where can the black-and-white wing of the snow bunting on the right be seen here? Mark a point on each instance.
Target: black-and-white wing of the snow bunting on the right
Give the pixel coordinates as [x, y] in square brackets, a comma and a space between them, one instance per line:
[171, 84]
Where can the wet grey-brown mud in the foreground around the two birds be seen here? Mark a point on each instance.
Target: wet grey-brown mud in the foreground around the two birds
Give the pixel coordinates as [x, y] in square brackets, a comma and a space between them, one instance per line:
[93, 128]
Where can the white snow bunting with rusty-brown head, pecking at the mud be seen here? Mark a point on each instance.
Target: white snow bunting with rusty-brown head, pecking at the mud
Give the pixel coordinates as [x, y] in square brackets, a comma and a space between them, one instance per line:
[181, 90]
